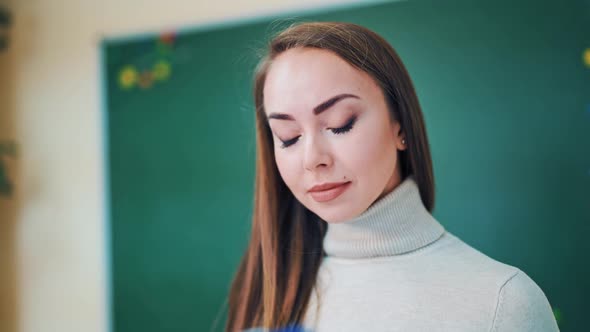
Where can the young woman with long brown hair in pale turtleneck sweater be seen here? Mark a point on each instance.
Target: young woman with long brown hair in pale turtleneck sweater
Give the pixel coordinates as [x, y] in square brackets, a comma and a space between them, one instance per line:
[342, 233]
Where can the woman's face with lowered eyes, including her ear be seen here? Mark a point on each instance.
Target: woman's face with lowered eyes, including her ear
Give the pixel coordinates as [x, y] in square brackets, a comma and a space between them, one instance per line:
[331, 125]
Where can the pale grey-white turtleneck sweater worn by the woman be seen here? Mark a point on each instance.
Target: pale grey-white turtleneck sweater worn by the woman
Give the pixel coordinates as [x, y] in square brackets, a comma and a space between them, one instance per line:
[395, 268]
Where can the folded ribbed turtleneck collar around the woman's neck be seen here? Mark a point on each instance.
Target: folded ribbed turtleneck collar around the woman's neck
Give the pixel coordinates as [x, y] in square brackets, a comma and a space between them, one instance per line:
[395, 224]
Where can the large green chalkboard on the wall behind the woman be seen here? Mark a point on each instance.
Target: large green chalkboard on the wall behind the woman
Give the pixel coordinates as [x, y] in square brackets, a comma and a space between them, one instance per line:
[506, 98]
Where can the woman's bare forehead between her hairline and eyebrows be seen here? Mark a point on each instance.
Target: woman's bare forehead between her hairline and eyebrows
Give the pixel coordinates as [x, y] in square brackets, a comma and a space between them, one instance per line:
[298, 79]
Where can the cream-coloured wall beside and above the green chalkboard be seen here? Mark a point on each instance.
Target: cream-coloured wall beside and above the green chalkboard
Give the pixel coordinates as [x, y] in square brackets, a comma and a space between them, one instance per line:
[52, 244]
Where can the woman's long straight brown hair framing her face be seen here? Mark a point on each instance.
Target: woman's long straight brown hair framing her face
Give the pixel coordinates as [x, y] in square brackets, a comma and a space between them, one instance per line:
[276, 276]
